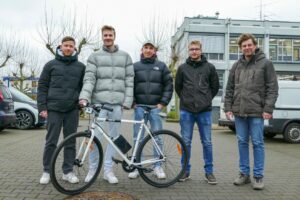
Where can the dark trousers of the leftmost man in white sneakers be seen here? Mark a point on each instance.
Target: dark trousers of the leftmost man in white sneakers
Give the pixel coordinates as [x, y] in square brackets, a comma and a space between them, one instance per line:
[55, 122]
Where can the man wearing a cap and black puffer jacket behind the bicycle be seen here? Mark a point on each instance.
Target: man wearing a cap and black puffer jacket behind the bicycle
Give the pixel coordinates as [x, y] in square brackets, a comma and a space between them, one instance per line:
[153, 89]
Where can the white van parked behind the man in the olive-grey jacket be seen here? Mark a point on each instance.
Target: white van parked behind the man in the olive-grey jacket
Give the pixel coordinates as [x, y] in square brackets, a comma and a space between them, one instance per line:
[286, 115]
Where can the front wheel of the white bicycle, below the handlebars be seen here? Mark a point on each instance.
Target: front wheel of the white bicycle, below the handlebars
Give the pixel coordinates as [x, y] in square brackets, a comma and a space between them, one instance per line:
[66, 159]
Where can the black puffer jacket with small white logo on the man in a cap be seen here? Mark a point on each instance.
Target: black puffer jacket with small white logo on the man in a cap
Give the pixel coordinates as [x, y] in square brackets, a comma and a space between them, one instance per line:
[153, 83]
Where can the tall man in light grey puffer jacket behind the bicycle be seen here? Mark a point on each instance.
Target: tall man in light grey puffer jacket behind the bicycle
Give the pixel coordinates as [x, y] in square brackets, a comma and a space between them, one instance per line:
[108, 80]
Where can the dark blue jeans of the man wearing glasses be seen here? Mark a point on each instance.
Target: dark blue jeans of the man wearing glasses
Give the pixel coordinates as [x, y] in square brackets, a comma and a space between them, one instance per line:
[203, 120]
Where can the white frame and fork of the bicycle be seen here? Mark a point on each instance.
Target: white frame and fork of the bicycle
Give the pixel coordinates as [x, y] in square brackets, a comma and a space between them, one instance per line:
[97, 128]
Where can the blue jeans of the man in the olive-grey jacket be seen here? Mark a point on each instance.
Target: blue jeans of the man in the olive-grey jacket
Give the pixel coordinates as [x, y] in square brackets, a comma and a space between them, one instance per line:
[251, 127]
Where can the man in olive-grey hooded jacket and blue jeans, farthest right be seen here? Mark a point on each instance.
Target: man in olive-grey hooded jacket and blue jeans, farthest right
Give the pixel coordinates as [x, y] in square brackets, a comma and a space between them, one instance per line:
[251, 93]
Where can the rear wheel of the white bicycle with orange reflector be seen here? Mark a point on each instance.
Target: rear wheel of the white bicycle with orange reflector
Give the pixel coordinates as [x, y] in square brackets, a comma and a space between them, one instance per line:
[174, 162]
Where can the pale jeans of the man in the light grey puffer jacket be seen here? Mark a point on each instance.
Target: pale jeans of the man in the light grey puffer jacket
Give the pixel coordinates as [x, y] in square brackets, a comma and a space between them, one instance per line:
[114, 131]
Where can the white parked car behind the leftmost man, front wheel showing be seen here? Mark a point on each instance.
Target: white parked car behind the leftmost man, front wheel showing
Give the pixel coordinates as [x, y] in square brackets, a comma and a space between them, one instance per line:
[26, 111]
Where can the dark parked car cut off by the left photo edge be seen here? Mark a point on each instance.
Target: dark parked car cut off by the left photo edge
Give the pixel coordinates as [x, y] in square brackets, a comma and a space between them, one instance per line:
[7, 113]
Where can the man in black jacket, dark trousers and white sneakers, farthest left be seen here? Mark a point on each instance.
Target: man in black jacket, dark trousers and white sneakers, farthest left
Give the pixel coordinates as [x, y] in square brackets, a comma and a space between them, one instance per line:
[58, 92]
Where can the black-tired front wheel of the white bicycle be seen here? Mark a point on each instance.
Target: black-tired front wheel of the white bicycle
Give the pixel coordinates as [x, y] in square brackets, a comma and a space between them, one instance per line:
[81, 172]
